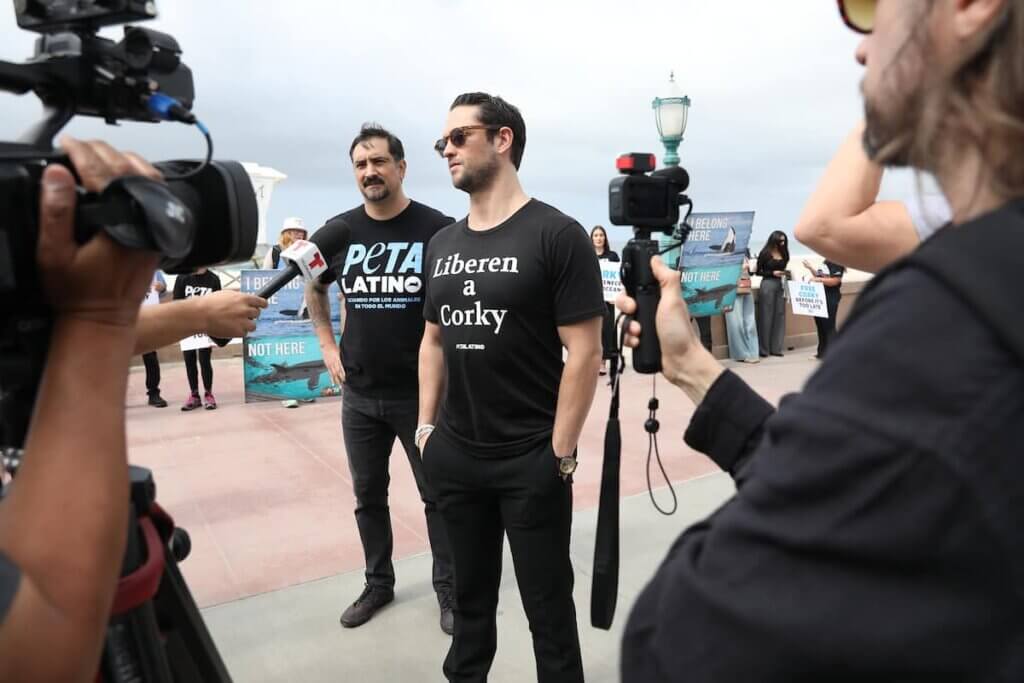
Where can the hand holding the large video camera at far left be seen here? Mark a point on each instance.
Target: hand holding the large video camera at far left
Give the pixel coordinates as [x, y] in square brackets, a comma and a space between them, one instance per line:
[100, 281]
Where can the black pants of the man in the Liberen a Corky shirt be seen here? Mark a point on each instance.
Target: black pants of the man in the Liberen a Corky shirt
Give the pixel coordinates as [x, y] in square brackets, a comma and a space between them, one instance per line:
[524, 497]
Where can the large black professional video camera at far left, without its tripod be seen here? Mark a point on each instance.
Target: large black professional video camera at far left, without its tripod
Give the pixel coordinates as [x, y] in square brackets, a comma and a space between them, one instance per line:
[204, 215]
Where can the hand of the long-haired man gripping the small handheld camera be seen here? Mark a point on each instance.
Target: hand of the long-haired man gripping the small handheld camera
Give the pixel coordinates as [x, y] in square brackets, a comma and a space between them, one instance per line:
[685, 362]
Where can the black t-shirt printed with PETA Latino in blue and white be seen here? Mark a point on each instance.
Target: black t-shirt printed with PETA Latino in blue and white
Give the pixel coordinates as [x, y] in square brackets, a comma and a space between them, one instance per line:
[381, 278]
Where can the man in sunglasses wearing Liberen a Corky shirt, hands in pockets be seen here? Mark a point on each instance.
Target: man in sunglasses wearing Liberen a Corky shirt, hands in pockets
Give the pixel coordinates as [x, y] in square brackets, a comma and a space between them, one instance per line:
[507, 289]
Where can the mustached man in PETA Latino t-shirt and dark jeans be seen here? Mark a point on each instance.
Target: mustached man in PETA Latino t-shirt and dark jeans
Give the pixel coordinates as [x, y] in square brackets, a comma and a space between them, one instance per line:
[381, 280]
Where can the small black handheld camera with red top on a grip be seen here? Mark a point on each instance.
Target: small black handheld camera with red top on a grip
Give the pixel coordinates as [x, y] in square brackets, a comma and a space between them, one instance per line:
[649, 203]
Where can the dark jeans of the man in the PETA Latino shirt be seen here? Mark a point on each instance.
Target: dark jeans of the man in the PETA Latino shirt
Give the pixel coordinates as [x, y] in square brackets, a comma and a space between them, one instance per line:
[370, 428]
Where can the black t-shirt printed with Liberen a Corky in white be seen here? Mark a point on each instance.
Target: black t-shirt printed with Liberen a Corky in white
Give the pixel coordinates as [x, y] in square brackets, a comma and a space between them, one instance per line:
[499, 296]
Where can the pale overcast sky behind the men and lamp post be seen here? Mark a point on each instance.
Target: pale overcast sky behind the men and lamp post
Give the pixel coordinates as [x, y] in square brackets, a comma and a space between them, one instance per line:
[775, 89]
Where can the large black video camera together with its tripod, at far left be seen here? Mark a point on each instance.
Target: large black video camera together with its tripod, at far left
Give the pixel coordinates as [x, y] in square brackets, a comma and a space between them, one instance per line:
[204, 215]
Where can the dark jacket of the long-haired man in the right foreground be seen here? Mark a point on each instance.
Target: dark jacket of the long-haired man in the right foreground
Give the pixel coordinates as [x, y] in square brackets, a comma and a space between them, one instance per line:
[878, 530]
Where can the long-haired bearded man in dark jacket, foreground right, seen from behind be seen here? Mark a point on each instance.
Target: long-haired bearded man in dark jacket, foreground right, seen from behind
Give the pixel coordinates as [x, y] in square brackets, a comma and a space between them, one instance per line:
[876, 533]
